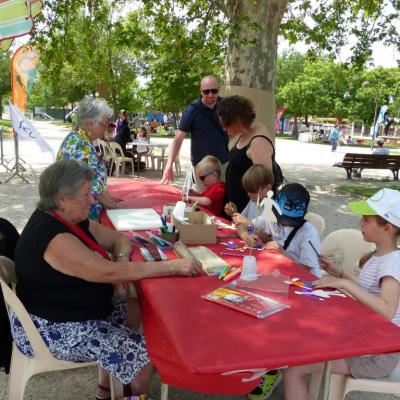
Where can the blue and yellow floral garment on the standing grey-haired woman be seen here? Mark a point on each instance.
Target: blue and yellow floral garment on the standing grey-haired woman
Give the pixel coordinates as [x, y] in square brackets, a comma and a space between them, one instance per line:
[78, 145]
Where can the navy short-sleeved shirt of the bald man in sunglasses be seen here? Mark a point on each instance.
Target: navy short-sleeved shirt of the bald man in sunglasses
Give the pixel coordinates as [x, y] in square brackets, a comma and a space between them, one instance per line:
[208, 137]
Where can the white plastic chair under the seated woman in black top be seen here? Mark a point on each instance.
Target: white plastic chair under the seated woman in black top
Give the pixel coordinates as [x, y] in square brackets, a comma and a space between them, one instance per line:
[23, 367]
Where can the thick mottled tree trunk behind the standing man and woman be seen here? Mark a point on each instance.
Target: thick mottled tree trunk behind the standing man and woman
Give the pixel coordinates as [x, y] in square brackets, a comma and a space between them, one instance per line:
[250, 65]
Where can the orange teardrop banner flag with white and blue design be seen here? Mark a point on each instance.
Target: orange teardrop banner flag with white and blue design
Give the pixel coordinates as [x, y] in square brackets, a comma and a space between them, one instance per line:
[23, 73]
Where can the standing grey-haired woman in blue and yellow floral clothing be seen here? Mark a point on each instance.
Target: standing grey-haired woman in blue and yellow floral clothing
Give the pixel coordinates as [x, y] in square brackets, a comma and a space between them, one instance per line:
[93, 116]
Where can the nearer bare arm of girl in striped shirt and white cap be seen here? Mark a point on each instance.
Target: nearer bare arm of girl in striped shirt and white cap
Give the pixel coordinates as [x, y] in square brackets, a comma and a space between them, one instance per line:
[385, 304]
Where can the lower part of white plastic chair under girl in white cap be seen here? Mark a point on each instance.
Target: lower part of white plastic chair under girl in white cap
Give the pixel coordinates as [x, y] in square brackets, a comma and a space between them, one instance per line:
[341, 385]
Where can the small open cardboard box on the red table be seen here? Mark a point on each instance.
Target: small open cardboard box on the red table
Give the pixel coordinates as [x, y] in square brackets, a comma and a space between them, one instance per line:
[197, 230]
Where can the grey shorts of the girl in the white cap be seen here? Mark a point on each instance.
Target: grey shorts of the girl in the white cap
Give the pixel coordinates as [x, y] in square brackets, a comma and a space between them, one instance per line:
[373, 367]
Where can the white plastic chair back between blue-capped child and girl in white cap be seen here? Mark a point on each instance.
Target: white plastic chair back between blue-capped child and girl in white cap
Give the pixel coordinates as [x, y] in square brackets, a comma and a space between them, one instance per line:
[350, 243]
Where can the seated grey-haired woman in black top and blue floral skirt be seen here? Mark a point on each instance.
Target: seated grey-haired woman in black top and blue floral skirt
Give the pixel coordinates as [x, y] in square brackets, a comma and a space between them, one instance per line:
[66, 266]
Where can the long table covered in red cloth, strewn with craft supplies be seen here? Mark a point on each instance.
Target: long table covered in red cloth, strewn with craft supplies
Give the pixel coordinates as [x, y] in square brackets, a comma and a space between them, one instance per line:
[192, 341]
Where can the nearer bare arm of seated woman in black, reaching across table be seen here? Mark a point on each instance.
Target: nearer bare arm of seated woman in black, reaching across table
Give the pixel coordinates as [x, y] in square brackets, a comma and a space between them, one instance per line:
[67, 254]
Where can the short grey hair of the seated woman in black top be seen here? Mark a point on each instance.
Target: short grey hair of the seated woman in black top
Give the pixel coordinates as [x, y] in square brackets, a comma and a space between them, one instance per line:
[63, 178]
